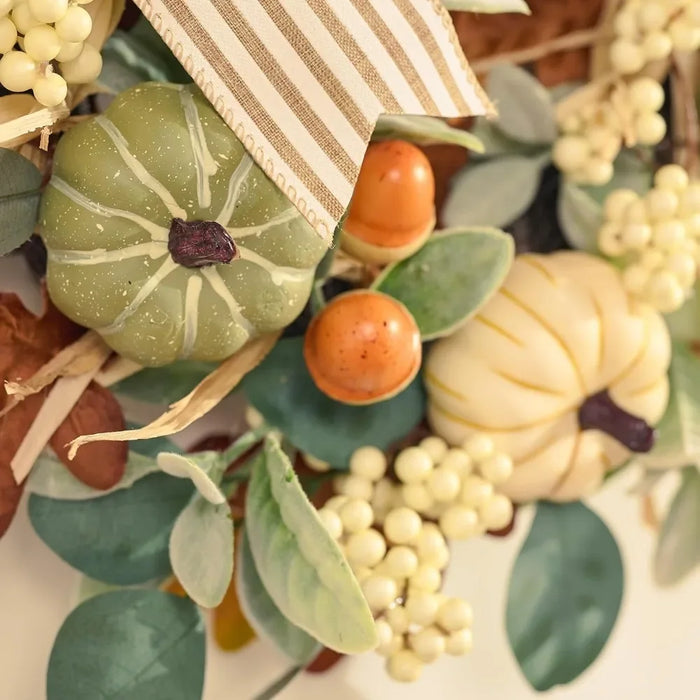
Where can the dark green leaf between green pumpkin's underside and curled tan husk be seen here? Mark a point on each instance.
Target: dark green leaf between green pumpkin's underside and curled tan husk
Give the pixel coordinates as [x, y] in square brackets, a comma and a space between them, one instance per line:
[164, 384]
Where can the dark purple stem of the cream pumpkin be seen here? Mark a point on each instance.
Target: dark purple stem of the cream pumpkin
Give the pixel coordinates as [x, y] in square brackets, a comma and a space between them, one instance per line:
[600, 412]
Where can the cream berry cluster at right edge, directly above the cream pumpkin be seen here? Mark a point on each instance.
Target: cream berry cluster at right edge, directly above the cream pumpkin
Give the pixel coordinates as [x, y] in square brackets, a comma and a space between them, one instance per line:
[657, 237]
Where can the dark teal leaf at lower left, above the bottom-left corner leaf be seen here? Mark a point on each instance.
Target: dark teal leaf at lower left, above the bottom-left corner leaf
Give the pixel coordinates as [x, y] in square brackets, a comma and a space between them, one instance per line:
[121, 538]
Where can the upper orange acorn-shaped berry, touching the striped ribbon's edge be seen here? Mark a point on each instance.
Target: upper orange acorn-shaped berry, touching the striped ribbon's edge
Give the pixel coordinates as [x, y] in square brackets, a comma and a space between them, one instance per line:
[393, 207]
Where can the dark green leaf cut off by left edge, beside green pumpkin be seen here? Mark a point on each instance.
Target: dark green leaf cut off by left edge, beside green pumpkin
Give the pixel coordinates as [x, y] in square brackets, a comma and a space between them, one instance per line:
[20, 181]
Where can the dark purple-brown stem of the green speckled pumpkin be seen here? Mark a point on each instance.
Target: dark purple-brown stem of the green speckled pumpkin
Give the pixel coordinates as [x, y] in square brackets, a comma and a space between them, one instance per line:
[200, 243]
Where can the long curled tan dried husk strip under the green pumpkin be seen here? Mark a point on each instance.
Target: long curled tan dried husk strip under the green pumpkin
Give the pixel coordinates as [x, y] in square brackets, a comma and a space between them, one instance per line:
[202, 399]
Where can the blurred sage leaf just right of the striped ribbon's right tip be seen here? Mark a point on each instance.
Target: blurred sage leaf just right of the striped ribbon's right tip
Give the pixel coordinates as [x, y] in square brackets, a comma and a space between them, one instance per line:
[525, 108]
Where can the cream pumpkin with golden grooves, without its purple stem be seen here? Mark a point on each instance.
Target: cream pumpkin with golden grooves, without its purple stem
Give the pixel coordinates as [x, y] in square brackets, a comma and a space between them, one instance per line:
[560, 329]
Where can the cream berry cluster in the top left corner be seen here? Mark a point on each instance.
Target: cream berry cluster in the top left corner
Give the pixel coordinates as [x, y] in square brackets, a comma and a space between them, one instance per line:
[36, 33]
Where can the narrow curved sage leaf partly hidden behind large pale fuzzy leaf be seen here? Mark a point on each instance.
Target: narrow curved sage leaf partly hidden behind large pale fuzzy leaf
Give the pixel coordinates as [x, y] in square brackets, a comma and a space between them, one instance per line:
[262, 613]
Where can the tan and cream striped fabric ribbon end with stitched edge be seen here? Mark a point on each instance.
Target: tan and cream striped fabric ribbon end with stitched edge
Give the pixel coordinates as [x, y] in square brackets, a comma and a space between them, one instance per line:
[302, 82]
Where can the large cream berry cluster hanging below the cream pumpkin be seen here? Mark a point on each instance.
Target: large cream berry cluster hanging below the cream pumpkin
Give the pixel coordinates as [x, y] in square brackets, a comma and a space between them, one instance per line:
[394, 535]
